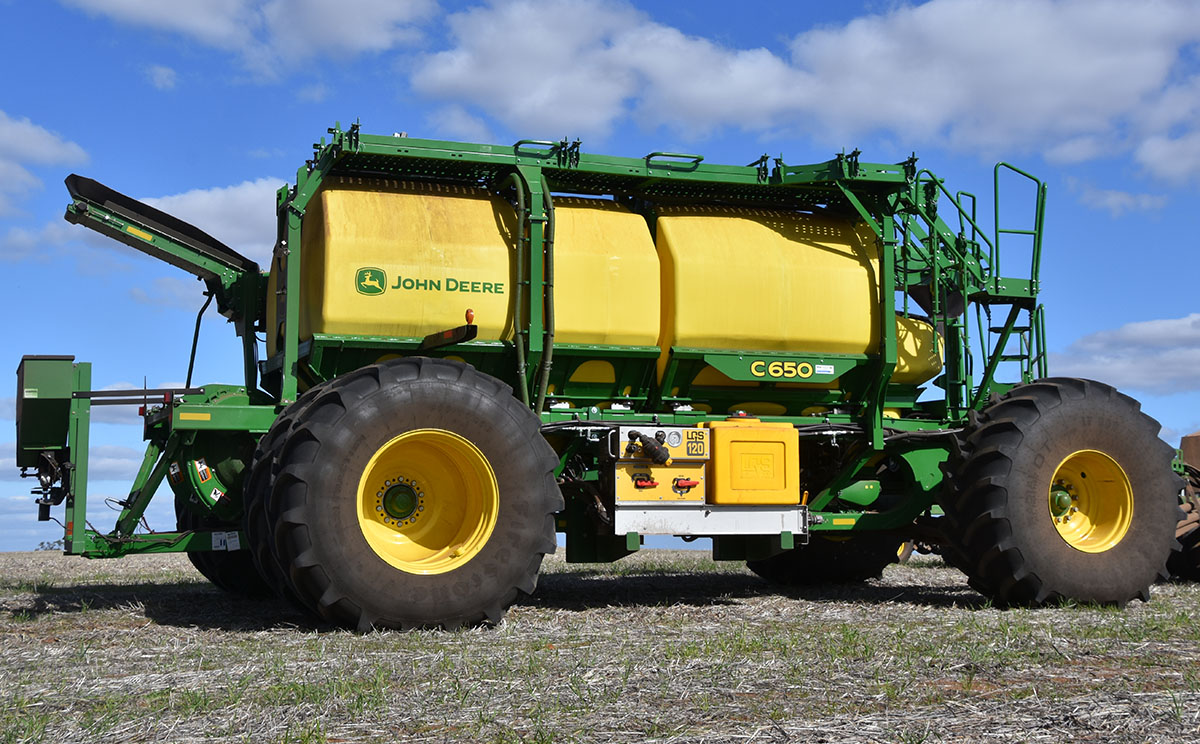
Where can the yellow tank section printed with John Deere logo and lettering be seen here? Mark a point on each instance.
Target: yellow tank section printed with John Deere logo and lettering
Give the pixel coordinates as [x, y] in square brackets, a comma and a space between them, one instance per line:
[394, 259]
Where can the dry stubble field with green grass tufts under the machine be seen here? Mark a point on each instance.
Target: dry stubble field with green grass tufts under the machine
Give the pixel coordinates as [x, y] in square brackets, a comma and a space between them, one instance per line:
[661, 647]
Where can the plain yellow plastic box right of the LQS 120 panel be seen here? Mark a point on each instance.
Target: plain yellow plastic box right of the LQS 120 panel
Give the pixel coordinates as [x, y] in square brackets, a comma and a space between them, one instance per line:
[754, 463]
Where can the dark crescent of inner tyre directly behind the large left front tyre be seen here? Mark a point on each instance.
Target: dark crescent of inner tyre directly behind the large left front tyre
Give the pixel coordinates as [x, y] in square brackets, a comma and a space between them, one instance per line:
[256, 495]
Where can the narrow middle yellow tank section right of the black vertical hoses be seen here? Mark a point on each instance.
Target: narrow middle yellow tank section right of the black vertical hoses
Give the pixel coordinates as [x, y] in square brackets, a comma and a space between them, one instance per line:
[607, 275]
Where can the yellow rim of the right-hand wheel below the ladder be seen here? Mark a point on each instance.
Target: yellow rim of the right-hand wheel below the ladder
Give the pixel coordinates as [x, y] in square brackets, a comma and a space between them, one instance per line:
[1091, 502]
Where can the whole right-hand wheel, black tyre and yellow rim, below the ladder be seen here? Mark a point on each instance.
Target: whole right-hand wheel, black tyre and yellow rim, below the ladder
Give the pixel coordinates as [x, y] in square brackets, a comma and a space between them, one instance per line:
[1065, 493]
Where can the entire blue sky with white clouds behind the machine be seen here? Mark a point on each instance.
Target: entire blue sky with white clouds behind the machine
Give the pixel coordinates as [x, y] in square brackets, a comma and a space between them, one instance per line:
[206, 109]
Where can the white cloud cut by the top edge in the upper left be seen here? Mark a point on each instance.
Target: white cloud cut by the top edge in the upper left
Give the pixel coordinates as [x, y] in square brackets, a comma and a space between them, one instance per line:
[266, 33]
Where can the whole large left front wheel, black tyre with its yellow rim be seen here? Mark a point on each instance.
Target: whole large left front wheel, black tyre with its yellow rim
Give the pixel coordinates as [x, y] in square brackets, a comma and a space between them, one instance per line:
[415, 494]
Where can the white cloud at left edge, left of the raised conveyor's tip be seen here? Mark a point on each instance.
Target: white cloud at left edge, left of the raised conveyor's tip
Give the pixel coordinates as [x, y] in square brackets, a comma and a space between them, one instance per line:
[25, 145]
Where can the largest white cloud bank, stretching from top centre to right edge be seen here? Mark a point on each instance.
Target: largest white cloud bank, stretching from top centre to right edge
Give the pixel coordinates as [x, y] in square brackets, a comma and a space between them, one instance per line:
[1075, 80]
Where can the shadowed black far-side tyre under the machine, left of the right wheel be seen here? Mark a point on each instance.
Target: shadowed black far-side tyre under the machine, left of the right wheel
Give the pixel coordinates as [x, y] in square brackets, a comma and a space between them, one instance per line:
[830, 561]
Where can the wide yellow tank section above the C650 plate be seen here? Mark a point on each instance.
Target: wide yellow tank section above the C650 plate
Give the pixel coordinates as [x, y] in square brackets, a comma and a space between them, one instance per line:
[741, 279]
